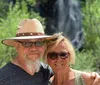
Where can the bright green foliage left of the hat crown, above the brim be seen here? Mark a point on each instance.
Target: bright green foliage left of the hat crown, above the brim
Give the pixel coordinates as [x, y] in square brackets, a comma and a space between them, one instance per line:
[9, 24]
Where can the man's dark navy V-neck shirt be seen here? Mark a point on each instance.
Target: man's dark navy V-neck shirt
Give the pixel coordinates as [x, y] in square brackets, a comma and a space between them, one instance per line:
[11, 74]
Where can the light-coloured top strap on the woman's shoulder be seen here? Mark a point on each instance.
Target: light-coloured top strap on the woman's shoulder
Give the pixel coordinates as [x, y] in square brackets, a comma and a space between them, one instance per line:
[78, 78]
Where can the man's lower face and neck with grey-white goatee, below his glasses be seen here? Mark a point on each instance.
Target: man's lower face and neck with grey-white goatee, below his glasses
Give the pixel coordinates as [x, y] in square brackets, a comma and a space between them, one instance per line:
[28, 57]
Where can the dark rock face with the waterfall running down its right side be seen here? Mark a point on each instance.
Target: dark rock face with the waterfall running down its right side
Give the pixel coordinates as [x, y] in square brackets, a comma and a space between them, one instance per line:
[63, 16]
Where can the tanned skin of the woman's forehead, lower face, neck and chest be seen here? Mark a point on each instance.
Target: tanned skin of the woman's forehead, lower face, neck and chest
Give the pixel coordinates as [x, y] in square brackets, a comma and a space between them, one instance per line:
[61, 69]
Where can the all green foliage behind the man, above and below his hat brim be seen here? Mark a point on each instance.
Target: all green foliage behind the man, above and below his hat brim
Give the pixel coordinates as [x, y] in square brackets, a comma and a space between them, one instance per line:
[8, 27]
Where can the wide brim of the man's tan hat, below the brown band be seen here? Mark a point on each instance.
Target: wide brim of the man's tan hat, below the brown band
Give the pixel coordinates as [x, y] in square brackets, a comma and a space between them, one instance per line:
[10, 41]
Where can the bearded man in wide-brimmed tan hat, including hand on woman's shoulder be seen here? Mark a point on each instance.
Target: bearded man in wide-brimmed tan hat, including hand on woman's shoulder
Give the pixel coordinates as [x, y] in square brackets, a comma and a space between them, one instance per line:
[30, 44]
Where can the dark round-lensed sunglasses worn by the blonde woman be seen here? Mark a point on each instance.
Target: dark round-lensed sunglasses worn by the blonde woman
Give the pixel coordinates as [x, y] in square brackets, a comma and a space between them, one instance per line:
[54, 55]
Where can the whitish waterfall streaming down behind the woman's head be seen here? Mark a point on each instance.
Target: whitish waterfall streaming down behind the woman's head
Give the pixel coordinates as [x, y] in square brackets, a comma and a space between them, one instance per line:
[70, 21]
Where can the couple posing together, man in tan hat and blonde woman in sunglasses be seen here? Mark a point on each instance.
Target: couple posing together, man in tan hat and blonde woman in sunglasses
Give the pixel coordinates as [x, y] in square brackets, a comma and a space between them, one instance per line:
[32, 44]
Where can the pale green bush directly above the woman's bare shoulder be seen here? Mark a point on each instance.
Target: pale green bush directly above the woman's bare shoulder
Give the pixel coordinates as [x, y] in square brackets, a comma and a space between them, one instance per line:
[85, 61]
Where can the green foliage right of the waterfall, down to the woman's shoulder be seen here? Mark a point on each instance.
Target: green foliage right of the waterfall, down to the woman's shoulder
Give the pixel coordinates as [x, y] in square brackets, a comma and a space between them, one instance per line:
[89, 58]
